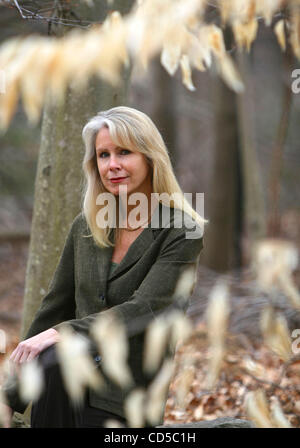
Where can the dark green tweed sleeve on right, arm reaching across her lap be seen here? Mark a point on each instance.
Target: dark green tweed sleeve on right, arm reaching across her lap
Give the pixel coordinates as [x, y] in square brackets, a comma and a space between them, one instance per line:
[156, 292]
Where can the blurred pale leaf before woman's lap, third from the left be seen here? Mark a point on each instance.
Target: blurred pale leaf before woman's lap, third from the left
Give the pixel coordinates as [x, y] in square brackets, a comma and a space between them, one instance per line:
[114, 354]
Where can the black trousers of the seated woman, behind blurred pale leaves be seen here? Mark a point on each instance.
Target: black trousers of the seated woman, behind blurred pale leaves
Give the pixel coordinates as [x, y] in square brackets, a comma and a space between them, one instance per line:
[54, 408]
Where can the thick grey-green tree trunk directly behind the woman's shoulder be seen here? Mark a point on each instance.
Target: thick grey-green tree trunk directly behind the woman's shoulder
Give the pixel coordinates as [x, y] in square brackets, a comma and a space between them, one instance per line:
[59, 176]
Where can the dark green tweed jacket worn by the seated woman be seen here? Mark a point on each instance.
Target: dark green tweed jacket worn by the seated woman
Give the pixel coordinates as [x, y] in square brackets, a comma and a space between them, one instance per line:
[139, 288]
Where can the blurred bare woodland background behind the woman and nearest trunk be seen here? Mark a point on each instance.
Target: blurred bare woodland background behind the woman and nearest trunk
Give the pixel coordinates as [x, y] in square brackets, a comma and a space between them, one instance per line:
[220, 143]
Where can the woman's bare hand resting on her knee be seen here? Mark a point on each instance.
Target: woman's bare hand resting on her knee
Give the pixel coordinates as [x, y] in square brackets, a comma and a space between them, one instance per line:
[30, 348]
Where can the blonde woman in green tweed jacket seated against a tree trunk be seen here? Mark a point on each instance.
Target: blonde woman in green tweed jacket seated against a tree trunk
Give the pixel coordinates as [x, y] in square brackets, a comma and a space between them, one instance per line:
[122, 265]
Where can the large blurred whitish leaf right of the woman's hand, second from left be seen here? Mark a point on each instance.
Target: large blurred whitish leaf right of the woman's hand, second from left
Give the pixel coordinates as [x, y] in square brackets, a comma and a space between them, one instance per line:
[78, 369]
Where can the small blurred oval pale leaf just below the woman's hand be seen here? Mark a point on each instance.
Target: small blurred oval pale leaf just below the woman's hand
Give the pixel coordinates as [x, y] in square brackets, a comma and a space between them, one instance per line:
[31, 381]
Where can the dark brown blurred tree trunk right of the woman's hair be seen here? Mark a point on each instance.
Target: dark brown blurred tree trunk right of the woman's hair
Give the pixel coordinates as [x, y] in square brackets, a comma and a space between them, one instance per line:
[222, 200]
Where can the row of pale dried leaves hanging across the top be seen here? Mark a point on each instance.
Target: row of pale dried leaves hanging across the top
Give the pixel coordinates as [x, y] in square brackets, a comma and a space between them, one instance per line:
[143, 32]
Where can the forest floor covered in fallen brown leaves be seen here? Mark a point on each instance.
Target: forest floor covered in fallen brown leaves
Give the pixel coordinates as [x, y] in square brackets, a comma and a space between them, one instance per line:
[227, 398]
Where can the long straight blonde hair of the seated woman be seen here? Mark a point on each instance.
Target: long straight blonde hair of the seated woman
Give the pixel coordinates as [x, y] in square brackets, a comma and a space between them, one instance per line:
[130, 129]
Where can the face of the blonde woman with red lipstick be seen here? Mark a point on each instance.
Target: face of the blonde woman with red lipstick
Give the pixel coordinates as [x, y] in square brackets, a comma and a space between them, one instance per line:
[120, 166]
